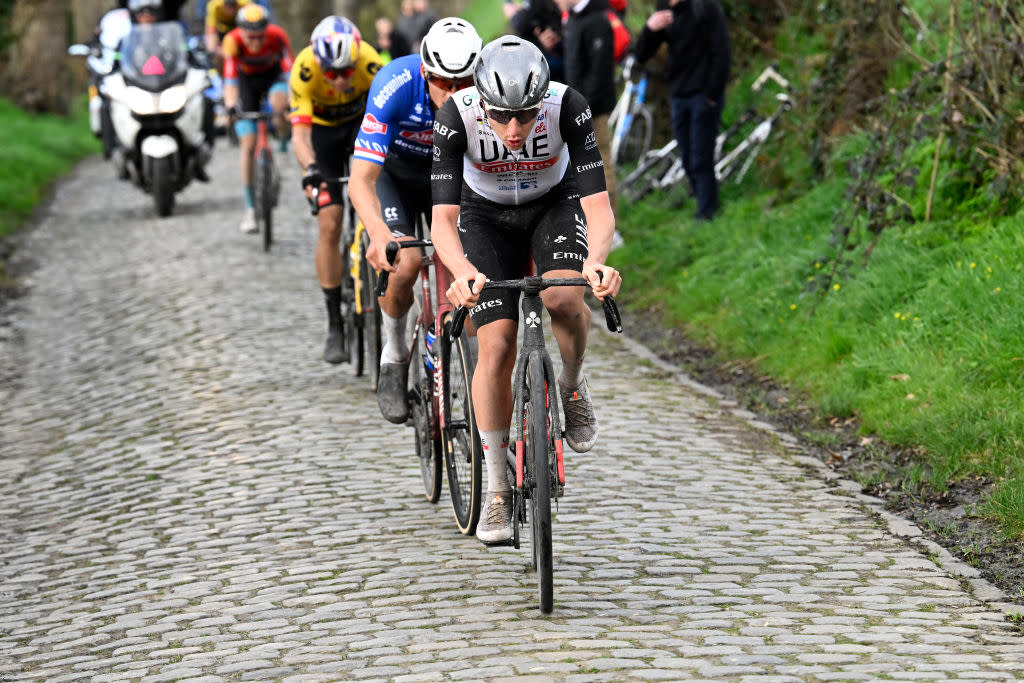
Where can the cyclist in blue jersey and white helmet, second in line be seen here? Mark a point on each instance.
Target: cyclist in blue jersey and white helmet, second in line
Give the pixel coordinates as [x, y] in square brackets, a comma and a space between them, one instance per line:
[391, 177]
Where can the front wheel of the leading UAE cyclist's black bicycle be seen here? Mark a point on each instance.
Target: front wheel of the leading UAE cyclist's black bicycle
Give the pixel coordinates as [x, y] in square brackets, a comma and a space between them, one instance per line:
[536, 457]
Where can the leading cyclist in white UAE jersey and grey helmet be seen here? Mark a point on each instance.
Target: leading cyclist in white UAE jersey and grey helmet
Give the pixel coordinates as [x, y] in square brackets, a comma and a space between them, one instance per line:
[518, 175]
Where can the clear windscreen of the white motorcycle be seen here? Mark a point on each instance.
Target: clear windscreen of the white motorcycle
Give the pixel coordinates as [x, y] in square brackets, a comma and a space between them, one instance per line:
[155, 57]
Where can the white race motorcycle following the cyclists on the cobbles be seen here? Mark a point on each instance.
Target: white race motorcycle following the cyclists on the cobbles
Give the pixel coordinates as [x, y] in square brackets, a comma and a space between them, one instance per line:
[157, 110]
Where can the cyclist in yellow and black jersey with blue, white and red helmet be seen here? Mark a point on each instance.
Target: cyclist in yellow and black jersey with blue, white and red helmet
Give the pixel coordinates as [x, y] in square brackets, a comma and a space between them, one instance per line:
[330, 81]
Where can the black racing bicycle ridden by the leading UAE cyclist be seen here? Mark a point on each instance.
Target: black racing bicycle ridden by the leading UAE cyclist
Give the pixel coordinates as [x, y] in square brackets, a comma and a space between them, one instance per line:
[537, 471]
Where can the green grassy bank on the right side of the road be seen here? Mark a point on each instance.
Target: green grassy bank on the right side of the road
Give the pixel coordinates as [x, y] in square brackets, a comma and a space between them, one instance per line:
[923, 345]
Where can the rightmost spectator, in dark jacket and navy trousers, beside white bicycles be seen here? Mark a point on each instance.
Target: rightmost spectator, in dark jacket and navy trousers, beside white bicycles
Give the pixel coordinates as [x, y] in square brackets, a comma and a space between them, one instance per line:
[698, 70]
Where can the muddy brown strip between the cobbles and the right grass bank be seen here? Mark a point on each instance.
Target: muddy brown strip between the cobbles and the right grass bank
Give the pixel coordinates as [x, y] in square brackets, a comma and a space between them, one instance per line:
[949, 518]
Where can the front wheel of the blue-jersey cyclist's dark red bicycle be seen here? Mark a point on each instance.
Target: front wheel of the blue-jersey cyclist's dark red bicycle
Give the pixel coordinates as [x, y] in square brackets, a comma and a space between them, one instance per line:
[460, 438]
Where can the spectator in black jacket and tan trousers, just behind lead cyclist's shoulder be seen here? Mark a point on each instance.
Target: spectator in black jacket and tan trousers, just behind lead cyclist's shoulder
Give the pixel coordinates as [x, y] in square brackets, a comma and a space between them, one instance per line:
[588, 47]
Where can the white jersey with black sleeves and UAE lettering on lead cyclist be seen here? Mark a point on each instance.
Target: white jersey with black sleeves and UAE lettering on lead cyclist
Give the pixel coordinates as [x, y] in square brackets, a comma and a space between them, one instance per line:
[562, 141]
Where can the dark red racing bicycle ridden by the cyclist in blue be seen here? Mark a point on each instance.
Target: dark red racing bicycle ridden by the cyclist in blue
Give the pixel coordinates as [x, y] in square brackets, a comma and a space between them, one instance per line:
[441, 374]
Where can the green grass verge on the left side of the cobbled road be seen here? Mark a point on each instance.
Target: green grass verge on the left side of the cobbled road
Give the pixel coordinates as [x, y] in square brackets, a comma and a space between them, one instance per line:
[34, 151]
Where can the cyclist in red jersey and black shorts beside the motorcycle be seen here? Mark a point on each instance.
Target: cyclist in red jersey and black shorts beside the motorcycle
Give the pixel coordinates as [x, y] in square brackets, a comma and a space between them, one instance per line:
[258, 64]
